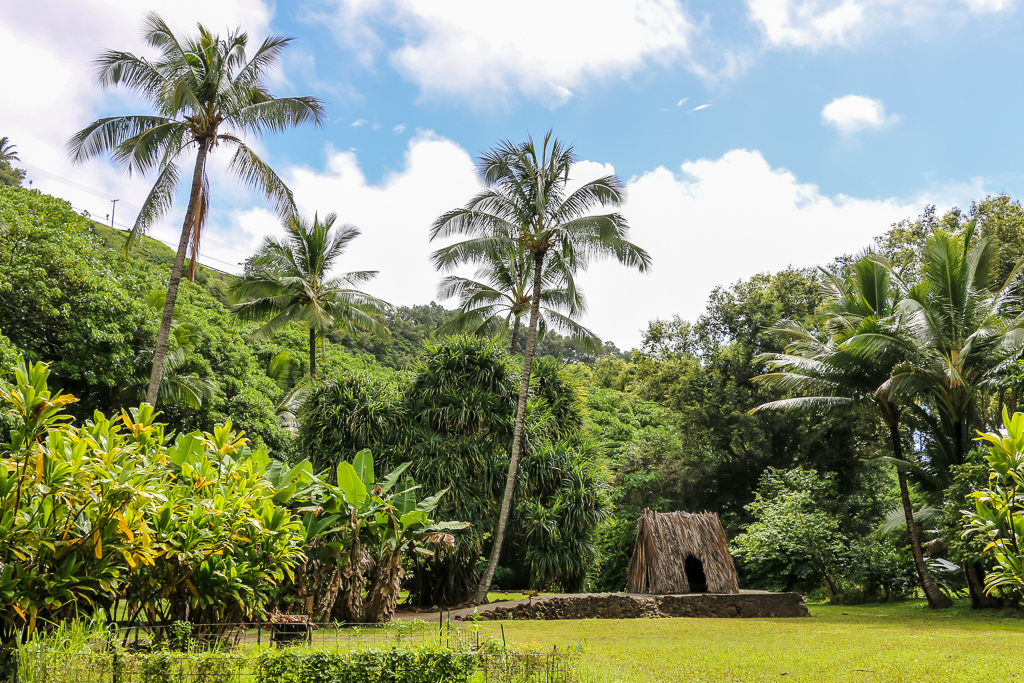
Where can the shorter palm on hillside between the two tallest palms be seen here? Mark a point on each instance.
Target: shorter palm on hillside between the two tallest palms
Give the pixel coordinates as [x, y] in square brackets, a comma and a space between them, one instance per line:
[289, 281]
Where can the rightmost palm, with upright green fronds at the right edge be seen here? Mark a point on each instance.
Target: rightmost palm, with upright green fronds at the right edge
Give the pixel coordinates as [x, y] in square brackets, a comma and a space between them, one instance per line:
[964, 328]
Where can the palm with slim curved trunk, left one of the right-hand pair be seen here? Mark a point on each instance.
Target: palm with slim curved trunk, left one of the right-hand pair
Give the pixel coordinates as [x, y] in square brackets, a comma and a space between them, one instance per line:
[836, 375]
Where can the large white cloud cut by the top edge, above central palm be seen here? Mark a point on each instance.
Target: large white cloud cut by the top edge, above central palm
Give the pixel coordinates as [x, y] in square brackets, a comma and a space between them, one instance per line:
[542, 60]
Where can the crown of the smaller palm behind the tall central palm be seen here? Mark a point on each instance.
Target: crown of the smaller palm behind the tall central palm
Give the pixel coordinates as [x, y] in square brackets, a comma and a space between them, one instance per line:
[497, 301]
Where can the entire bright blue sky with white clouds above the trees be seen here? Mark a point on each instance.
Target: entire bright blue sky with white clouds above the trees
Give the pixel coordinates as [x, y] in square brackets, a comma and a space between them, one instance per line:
[753, 135]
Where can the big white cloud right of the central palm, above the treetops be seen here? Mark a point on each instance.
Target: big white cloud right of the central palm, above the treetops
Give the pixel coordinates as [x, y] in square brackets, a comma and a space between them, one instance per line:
[716, 222]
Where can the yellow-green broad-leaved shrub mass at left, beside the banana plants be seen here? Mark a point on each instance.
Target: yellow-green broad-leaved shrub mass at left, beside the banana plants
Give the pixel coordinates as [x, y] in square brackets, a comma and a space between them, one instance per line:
[112, 518]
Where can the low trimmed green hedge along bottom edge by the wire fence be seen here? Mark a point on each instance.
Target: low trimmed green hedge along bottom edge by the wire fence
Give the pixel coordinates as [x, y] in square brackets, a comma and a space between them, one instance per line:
[430, 665]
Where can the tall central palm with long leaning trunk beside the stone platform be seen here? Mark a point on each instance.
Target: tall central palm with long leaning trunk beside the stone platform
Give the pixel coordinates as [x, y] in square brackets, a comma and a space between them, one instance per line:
[527, 208]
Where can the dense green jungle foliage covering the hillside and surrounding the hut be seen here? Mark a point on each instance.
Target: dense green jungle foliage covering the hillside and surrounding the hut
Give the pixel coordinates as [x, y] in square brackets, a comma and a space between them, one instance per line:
[810, 500]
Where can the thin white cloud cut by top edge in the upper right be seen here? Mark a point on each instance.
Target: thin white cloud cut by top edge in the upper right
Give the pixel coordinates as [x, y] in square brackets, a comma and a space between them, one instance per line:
[816, 24]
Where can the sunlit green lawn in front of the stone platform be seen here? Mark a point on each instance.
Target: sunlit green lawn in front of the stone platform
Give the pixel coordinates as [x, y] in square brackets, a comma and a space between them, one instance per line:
[900, 643]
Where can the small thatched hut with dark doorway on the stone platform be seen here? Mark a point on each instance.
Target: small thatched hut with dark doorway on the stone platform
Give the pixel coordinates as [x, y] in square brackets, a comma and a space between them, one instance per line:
[681, 552]
